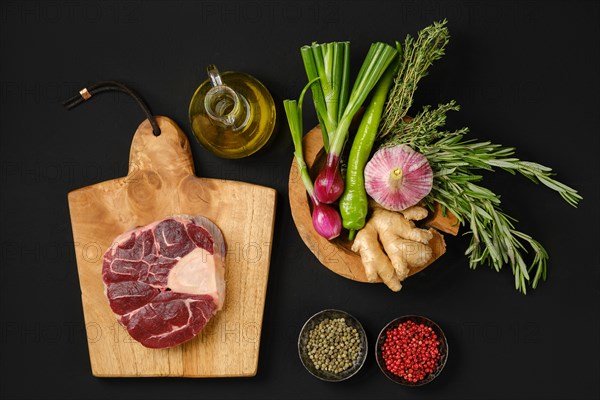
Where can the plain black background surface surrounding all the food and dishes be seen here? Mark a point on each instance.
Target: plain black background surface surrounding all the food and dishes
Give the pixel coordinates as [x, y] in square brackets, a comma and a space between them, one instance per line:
[526, 75]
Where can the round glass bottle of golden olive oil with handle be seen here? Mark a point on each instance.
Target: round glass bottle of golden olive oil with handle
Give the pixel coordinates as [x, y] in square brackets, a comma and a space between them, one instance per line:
[232, 114]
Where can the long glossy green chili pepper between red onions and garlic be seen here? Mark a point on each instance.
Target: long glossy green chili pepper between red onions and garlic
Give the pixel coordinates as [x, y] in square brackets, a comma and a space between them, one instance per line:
[354, 204]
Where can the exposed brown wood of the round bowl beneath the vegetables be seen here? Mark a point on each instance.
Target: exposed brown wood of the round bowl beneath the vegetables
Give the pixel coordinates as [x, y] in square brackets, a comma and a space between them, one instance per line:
[336, 254]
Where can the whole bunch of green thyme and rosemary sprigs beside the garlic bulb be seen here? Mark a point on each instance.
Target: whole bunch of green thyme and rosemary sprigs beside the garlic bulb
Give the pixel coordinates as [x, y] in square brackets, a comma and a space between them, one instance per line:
[454, 160]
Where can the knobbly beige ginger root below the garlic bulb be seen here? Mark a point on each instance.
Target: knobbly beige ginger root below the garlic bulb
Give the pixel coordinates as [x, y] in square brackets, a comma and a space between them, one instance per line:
[404, 245]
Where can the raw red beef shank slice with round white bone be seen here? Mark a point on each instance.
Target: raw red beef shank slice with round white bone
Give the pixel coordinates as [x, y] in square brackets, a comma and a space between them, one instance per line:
[166, 280]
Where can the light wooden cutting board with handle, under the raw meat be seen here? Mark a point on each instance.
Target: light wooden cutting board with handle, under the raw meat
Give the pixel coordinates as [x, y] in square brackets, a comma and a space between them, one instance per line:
[161, 182]
